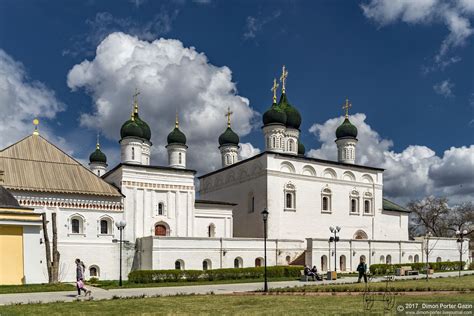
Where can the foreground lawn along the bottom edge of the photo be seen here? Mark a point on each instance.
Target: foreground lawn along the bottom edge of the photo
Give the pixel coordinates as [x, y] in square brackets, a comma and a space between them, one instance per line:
[227, 305]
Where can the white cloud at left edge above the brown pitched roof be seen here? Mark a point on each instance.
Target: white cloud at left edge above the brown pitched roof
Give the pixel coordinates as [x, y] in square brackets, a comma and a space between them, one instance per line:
[23, 99]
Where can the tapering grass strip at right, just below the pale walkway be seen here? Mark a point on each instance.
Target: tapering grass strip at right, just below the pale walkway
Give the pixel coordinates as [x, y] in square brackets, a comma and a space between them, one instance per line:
[465, 283]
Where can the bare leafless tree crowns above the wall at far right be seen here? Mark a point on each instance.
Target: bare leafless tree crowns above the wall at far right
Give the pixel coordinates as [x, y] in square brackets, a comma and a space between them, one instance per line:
[433, 214]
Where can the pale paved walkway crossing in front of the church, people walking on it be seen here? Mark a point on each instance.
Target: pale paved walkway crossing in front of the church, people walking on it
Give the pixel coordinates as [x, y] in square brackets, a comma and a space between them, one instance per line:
[100, 294]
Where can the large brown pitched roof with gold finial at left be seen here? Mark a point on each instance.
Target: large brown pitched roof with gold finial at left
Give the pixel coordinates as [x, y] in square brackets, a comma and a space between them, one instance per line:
[34, 164]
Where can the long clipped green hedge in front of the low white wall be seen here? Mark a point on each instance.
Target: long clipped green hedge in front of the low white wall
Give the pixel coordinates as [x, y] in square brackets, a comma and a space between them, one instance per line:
[154, 276]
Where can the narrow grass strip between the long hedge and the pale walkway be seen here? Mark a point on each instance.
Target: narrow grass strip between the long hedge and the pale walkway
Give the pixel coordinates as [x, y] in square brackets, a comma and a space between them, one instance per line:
[114, 284]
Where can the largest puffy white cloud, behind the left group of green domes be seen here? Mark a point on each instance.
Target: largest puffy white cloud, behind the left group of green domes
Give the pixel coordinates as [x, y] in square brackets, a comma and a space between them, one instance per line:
[170, 77]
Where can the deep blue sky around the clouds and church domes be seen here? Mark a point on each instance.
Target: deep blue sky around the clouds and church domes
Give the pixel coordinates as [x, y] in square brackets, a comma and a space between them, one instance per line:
[407, 68]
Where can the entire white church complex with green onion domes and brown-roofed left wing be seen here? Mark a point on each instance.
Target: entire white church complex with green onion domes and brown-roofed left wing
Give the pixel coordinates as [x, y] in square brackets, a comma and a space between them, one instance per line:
[167, 227]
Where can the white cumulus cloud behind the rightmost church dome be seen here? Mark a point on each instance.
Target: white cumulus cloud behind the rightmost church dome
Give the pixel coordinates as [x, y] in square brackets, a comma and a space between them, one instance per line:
[412, 173]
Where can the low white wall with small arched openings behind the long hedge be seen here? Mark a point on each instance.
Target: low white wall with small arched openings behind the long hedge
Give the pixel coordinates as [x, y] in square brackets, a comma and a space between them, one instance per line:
[220, 252]
